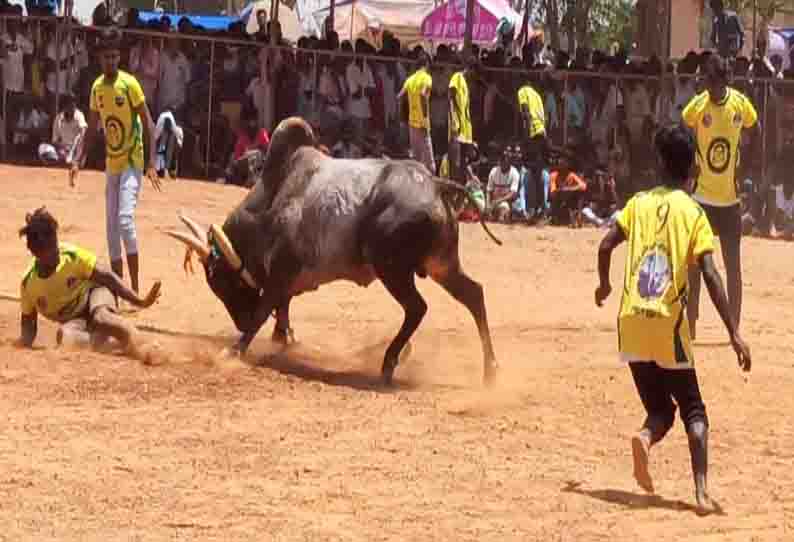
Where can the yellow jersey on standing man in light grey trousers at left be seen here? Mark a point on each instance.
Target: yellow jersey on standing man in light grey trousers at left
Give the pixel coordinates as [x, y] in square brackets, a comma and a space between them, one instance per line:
[116, 103]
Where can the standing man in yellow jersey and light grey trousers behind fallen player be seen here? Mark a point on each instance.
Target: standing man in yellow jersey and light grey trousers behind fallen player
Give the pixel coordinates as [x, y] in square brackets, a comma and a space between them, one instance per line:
[118, 101]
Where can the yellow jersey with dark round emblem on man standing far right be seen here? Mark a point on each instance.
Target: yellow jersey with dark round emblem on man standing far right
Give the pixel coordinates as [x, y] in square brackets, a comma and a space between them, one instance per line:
[718, 127]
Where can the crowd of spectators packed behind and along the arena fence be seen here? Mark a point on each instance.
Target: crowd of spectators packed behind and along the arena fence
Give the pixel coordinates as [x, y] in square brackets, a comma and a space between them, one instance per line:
[601, 110]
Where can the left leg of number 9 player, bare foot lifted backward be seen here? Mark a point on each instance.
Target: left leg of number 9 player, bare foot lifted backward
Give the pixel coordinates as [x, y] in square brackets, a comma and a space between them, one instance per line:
[660, 412]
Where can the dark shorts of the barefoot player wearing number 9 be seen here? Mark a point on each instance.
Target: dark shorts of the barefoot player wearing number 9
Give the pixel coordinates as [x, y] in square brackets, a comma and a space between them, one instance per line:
[658, 387]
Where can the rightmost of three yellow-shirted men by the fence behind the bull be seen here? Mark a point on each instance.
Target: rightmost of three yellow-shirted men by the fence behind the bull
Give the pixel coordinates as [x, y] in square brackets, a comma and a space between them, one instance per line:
[533, 122]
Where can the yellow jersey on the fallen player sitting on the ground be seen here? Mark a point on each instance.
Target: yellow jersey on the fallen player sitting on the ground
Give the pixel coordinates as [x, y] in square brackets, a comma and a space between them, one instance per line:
[62, 296]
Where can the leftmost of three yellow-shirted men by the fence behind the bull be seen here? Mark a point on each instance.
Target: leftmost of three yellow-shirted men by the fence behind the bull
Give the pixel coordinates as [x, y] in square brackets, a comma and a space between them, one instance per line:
[418, 88]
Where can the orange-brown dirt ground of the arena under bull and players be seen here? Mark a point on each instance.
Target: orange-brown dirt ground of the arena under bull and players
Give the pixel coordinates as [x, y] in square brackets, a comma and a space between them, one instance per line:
[305, 445]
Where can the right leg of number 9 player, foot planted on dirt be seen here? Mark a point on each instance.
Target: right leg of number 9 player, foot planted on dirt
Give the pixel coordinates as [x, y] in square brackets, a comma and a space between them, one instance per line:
[684, 388]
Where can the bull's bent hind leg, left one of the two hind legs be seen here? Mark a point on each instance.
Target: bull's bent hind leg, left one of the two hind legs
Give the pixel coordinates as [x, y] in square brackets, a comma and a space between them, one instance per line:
[402, 287]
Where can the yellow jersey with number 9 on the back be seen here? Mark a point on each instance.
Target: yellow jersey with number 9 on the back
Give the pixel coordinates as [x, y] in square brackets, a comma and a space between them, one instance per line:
[667, 231]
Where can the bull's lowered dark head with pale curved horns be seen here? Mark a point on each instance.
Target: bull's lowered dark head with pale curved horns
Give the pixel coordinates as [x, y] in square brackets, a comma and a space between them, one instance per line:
[226, 276]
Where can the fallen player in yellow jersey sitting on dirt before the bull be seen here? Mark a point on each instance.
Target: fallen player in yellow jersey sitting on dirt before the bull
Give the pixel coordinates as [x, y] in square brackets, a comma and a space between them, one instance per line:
[64, 284]
